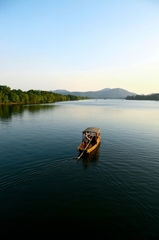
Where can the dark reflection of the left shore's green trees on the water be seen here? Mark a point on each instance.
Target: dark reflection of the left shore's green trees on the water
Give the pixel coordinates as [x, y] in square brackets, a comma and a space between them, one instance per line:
[7, 111]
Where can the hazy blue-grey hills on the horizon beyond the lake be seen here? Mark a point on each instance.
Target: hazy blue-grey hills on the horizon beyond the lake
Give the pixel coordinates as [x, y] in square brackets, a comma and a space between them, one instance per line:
[114, 93]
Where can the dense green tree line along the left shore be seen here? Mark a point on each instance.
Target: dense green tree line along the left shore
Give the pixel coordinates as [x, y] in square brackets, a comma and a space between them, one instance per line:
[8, 96]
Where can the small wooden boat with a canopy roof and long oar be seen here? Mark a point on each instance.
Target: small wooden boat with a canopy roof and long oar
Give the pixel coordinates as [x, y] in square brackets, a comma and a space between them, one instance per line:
[90, 140]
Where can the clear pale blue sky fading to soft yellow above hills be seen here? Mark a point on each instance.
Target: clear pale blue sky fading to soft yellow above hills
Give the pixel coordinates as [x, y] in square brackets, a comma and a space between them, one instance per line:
[80, 44]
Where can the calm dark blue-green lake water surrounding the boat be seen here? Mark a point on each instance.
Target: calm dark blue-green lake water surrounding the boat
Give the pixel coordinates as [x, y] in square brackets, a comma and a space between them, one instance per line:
[46, 192]
